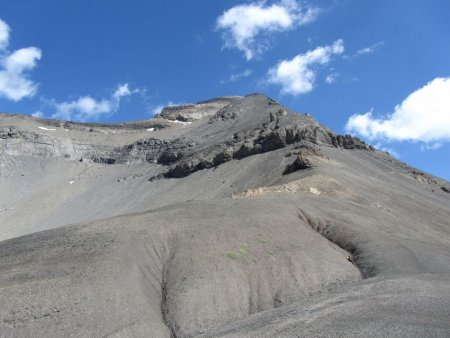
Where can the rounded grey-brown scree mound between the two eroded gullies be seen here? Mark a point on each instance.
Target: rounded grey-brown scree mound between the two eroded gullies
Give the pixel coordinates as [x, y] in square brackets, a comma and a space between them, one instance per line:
[232, 270]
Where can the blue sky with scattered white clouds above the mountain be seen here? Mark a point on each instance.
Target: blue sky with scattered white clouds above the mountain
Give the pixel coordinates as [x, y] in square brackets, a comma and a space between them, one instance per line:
[378, 69]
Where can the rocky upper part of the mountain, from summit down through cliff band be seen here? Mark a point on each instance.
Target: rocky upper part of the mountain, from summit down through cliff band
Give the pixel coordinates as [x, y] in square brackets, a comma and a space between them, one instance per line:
[213, 132]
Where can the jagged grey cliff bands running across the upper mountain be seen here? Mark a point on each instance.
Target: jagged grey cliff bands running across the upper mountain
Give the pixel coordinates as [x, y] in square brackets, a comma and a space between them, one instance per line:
[187, 154]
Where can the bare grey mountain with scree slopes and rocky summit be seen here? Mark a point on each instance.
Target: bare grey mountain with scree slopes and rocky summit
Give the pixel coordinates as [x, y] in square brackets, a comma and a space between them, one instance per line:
[233, 217]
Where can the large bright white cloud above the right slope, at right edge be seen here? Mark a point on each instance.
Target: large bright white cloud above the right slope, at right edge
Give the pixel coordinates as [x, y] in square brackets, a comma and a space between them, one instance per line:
[423, 116]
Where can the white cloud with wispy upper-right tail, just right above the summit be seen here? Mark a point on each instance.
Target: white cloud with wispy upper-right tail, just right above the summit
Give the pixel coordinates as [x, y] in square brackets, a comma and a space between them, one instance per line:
[298, 75]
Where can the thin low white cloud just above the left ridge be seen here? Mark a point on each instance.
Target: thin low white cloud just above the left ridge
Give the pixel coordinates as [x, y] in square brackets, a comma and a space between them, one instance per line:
[86, 108]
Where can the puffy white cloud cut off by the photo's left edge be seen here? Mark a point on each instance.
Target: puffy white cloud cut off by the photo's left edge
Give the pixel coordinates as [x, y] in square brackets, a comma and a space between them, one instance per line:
[14, 67]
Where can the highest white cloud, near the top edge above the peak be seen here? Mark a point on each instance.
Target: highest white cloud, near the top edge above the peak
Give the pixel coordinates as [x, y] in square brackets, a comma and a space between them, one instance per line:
[244, 24]
